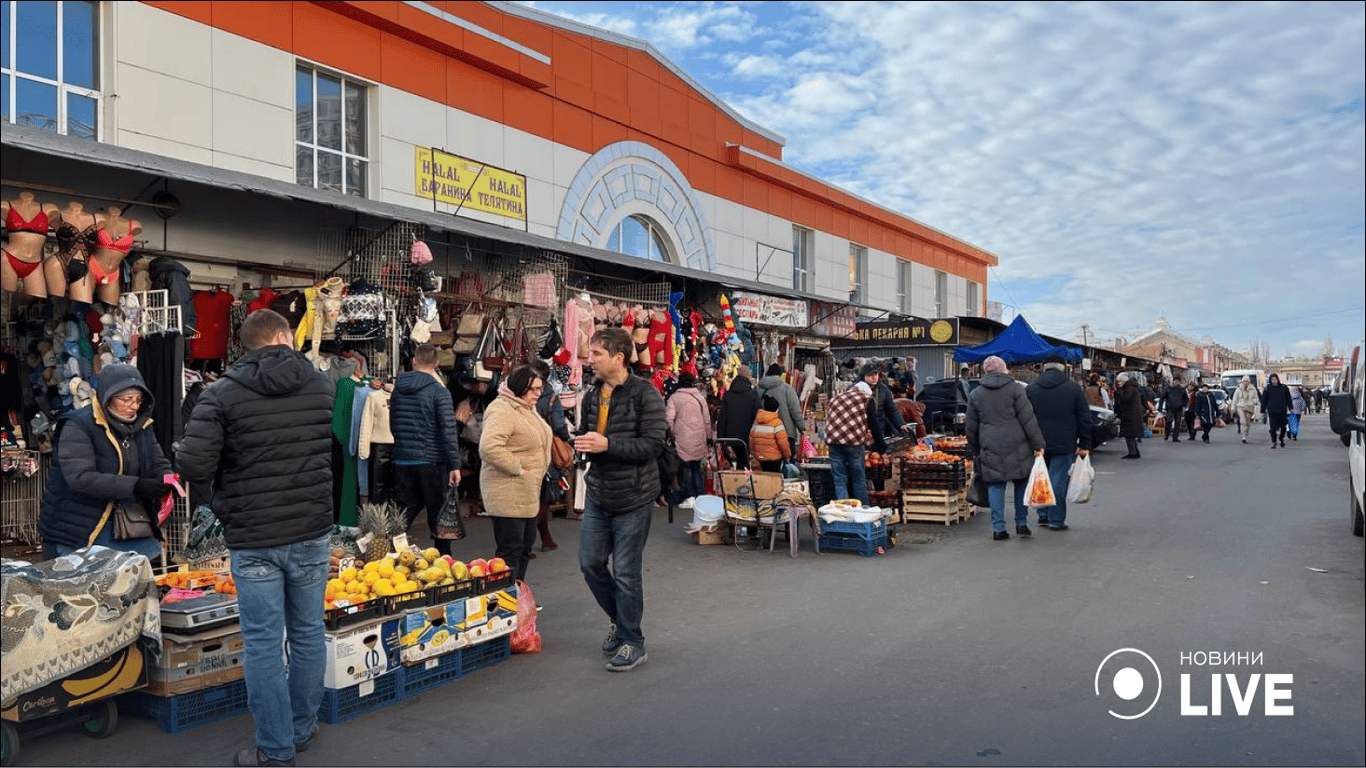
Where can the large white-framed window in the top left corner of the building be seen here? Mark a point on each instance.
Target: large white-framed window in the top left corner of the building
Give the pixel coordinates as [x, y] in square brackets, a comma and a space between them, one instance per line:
[50, 66]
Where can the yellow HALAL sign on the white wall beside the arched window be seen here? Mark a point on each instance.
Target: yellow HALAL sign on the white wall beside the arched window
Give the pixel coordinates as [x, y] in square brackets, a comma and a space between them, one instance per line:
[471, 185]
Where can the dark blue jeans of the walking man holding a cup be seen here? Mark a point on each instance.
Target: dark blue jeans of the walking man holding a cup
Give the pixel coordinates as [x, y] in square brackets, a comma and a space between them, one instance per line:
[621, 590]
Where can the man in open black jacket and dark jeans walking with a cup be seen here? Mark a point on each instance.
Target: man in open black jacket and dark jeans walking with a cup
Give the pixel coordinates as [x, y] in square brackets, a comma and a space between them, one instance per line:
[622, 431]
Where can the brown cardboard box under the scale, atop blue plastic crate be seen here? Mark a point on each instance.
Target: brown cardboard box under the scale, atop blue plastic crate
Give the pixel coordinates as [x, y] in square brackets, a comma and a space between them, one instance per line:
[189, 663]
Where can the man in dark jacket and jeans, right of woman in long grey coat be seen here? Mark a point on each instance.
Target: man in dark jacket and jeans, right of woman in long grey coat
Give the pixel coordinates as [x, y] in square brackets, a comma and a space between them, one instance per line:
[1066, 422]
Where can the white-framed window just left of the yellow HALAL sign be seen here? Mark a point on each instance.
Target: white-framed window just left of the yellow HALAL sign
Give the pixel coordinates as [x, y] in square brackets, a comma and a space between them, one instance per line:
[331, 139]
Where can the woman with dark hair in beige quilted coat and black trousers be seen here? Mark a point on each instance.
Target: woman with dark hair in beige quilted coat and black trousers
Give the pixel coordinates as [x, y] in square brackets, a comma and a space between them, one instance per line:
[516, 452]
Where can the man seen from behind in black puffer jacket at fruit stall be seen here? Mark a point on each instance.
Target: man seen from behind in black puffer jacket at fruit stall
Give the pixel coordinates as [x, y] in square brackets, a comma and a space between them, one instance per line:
[262, 435]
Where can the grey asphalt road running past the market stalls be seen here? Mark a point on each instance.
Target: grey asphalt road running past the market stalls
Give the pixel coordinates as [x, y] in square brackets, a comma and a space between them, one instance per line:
[950, 650]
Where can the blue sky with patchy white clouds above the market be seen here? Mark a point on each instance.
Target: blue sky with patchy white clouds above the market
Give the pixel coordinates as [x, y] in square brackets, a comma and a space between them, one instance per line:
[1203, 162]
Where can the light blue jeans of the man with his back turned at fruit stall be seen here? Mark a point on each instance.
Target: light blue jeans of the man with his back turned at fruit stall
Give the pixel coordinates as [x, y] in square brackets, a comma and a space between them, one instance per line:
[281, 592]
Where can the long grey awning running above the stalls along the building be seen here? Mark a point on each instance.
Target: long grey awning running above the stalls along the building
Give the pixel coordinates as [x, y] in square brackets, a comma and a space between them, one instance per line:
[33, 140]
